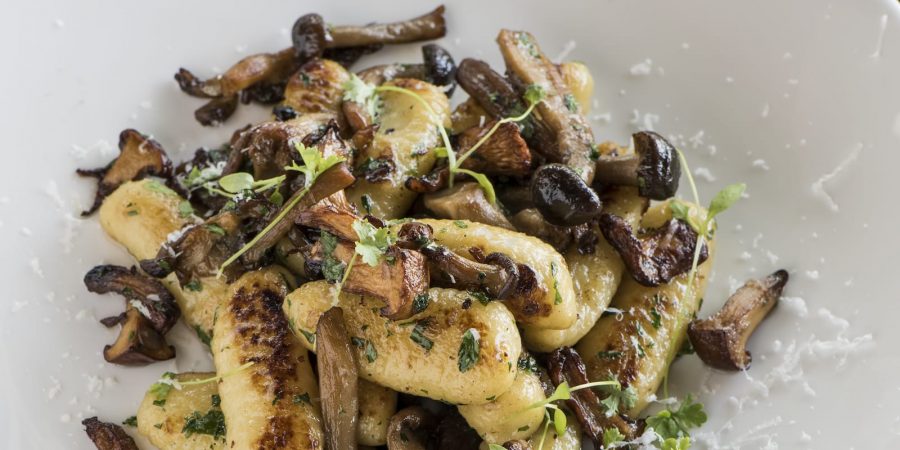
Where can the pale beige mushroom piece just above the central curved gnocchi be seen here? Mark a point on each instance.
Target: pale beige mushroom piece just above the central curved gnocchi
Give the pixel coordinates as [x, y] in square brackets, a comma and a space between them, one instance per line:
[466, 201]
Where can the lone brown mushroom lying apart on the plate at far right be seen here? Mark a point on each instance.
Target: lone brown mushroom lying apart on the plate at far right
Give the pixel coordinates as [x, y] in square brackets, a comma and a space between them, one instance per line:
[721, 340]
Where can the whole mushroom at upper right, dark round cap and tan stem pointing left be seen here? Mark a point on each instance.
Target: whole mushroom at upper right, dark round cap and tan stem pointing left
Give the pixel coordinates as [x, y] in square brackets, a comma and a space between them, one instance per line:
[654, 167]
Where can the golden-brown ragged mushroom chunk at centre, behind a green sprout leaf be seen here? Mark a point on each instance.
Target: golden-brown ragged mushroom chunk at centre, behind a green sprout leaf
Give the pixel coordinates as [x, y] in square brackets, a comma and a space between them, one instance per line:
[400, 276]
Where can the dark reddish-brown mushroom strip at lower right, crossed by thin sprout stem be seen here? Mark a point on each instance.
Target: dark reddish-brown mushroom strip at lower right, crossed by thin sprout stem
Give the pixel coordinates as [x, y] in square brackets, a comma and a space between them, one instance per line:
[566, 365]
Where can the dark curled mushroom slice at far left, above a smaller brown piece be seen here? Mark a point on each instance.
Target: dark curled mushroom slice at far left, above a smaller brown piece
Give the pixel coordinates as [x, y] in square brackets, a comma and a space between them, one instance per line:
[154, 299]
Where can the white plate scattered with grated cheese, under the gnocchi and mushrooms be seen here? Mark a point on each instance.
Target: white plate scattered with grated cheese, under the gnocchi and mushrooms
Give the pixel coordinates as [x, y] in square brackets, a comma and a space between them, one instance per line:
[799, 99]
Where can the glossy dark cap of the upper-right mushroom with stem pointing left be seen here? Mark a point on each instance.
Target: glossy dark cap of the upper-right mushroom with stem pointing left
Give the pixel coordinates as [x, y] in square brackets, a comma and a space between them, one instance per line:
[659, 168]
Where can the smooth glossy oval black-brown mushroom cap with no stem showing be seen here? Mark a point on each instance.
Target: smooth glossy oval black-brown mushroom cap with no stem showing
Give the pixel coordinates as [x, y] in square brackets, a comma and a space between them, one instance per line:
[562, 196]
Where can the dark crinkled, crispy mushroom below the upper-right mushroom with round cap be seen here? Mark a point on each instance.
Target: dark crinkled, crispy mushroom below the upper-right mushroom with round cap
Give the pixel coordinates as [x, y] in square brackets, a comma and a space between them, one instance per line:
[654, 256]
